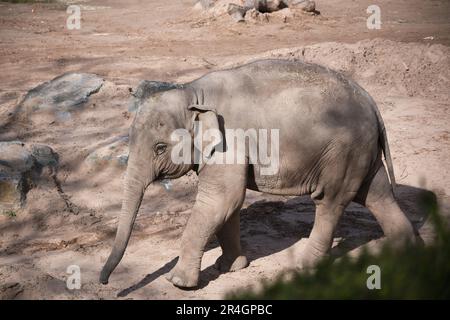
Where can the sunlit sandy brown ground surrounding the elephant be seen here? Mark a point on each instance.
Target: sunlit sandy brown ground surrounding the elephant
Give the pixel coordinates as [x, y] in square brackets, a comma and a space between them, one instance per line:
[408, 76]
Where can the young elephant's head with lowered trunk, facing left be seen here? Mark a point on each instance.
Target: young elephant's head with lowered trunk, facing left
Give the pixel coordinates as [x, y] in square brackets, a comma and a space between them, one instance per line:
[159, 114]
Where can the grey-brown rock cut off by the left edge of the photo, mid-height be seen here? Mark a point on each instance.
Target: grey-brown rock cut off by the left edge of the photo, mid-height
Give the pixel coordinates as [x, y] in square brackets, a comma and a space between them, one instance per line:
[19, 166]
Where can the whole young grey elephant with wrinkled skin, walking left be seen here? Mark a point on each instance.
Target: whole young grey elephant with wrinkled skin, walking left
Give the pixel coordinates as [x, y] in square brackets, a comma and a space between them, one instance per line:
[332, 139]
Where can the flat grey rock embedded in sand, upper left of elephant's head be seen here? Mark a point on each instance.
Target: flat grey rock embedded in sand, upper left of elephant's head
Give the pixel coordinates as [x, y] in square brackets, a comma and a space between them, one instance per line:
[62, 95]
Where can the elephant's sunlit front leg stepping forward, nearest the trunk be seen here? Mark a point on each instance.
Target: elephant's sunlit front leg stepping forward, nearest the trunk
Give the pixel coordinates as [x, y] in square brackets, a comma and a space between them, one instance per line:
[221, 192]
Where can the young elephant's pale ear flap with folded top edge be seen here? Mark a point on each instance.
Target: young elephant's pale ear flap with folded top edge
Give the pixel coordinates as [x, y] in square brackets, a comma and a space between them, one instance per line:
[207, 134]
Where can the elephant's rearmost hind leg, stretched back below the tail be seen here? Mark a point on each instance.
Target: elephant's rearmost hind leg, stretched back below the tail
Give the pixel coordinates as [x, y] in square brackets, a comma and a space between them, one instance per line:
[377, 195]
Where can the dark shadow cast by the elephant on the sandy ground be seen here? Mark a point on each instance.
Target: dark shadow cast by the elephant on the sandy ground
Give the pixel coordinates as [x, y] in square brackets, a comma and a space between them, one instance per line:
[268, 227]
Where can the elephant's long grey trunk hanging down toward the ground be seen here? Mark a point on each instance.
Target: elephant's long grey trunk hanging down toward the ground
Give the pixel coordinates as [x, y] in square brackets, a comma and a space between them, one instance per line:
[135, 185]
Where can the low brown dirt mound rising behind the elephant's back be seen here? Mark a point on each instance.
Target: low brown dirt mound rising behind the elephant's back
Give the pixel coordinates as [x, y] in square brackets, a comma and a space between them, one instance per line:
[409, 69]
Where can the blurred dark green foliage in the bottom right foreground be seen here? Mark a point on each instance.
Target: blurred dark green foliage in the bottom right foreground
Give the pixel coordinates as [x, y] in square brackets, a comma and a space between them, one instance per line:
[414, 272]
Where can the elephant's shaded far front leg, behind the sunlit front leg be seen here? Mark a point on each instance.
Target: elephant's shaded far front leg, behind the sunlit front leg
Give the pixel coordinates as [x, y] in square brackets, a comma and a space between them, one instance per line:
[230, 241]
